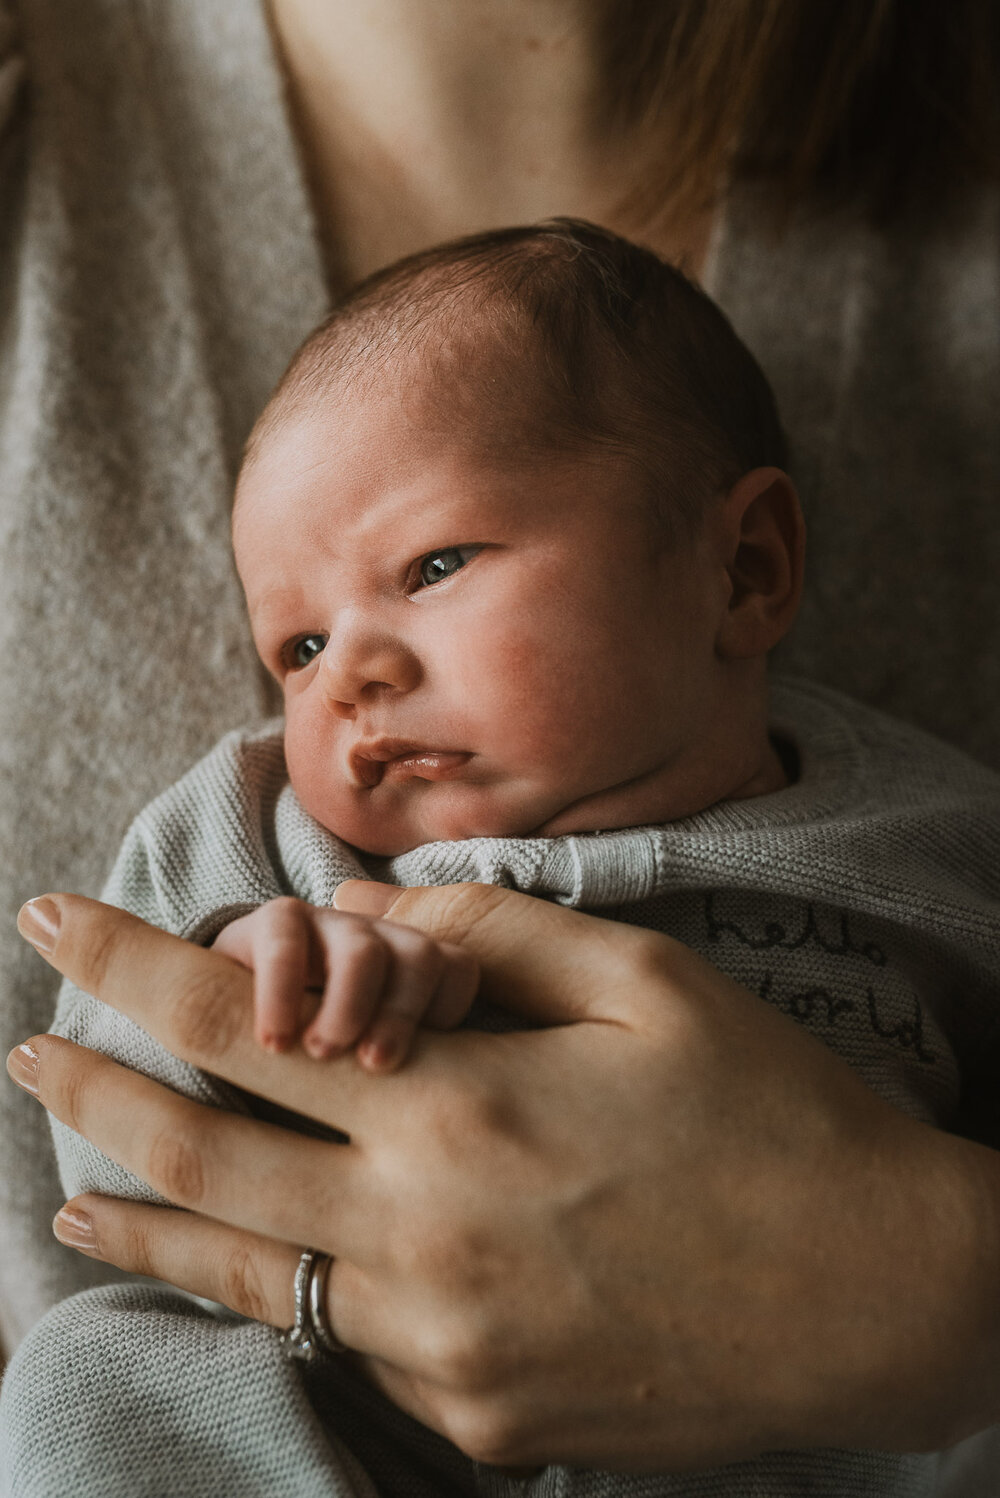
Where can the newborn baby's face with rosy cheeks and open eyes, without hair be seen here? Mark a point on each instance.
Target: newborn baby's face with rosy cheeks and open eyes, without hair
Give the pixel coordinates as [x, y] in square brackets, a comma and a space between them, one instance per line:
[469, 646]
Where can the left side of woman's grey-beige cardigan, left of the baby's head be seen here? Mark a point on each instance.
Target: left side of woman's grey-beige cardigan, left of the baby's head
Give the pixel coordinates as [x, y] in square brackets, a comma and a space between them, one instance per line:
[158, 266]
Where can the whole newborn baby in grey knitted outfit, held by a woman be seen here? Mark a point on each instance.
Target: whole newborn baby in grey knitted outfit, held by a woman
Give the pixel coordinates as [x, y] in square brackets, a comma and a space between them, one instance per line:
[517, 540]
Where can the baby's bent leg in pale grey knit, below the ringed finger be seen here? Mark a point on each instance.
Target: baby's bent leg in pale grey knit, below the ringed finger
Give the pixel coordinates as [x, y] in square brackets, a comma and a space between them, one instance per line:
[158, 1422]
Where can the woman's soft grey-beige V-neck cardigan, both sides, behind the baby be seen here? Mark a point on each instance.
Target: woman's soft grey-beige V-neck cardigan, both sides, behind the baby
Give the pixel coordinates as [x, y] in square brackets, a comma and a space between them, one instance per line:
[159, 264]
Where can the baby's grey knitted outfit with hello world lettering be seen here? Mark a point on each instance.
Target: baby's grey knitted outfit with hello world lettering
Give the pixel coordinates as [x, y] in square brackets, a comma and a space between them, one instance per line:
[865, 901]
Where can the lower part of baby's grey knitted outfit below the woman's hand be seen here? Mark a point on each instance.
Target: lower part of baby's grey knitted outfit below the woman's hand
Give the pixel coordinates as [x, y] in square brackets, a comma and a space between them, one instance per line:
[186, 1407]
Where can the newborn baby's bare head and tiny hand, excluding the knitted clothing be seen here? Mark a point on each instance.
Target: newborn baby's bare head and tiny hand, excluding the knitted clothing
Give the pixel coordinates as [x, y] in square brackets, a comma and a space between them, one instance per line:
[517, 570]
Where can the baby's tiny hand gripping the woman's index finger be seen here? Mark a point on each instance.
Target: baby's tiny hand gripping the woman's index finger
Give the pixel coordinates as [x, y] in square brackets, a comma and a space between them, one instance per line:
[375, 982]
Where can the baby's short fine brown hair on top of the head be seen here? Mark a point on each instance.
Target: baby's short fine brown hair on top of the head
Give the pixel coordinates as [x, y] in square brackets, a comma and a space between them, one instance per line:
[556, 338]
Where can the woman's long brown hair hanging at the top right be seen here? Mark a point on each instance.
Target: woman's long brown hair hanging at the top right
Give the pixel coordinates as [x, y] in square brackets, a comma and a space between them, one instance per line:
[876, 103]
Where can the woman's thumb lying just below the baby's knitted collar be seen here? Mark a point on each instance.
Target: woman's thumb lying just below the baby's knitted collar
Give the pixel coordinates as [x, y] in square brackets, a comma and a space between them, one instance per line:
[538, 959]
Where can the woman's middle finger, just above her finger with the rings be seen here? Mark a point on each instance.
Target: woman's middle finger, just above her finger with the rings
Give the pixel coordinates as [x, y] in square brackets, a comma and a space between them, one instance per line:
[251, 1174]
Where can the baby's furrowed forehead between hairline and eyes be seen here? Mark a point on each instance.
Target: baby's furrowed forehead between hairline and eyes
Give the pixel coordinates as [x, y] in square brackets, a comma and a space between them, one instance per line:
[381, 482]
